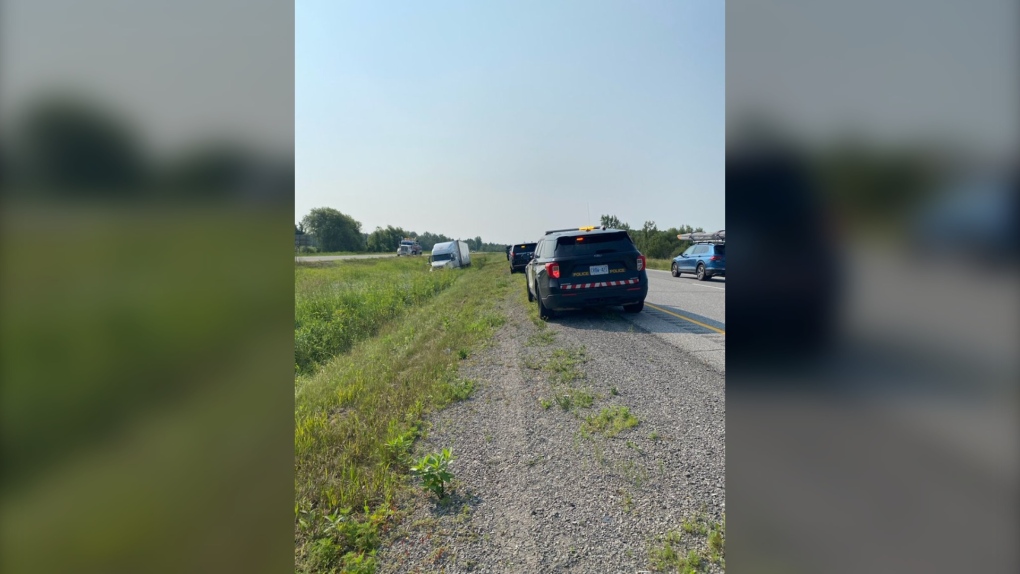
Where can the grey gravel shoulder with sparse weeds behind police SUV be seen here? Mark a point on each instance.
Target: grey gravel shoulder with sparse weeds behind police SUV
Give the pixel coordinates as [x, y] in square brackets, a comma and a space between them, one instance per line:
[537, 489]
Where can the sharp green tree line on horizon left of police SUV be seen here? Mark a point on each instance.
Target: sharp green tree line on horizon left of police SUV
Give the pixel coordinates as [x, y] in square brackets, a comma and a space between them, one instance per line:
[334, 231]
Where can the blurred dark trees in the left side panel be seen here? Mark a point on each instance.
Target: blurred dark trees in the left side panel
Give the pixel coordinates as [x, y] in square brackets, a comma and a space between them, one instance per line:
[70, 146]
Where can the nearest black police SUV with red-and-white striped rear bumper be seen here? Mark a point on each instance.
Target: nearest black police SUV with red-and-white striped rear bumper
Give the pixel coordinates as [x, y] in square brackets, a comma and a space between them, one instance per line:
[587, 268]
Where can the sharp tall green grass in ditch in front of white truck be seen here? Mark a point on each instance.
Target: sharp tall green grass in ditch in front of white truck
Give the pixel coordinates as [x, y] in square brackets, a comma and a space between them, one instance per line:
[340, 304]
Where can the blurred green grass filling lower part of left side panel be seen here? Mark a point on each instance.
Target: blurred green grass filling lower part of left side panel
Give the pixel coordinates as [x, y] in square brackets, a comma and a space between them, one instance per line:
[147, 395]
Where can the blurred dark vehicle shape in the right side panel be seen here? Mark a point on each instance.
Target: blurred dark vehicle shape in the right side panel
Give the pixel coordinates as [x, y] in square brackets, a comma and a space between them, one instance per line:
[787, 292]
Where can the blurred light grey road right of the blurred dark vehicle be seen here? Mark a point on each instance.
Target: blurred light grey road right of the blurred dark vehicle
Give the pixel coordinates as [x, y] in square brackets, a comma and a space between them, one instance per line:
[904, 302]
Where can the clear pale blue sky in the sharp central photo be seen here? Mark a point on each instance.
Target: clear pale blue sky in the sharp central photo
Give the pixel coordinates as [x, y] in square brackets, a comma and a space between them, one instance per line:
[504, 120]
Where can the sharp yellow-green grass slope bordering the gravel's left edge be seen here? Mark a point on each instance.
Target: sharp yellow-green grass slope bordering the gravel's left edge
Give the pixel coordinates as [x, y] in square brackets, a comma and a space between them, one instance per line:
[358, 416]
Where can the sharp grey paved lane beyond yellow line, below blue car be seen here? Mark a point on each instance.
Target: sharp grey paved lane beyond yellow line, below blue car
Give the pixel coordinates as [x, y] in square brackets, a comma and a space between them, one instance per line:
[704, 299]
